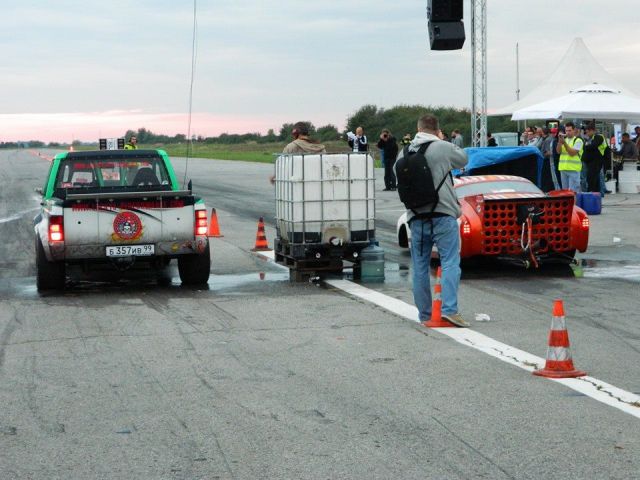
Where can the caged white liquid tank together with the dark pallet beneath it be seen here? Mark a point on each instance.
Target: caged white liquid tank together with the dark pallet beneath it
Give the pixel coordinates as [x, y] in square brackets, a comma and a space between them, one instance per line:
[325, 211]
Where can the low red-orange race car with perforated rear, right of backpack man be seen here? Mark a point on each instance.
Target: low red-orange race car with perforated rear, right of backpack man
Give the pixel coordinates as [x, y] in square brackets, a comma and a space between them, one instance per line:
[508, 218]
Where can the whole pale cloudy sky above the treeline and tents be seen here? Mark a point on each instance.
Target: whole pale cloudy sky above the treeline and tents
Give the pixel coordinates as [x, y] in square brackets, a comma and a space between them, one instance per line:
[84, 69]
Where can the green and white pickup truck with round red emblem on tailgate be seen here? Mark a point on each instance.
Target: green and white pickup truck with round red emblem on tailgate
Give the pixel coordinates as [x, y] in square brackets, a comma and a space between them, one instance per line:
[118, 208]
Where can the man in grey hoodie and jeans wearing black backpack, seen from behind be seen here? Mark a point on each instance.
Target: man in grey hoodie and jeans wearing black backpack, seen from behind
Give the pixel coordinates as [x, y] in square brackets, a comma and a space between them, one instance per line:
[425, 186]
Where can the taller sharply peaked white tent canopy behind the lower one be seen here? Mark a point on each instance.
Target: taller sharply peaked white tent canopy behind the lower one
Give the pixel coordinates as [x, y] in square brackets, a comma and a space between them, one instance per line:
[578, 67]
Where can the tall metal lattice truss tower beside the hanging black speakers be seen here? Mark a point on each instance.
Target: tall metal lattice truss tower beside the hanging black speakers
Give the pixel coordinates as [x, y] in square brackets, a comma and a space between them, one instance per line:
[478, 73]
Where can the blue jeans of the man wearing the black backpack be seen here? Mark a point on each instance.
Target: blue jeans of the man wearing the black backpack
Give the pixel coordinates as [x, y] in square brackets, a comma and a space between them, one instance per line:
[443, 232]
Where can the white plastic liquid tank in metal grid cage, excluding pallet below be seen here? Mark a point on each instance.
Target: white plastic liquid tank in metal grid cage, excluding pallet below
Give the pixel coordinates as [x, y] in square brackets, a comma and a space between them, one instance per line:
[325, 198]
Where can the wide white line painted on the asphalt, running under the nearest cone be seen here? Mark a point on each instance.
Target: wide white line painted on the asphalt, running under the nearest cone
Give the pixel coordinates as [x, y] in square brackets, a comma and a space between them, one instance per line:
[592, 387]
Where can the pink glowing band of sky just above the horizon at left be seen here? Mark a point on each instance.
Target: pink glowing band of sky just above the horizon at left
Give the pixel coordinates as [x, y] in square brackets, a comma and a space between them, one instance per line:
[66, 127]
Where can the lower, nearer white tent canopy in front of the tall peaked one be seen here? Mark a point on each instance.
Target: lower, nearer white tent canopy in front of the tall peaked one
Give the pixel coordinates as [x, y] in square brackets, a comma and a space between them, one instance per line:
[592, 101]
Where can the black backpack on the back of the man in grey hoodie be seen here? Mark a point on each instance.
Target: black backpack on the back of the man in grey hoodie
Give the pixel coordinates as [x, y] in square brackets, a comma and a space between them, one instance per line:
[414, 179]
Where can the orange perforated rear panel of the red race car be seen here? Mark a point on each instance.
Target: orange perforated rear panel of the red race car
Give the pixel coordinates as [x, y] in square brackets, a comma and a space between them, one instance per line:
[502, 232]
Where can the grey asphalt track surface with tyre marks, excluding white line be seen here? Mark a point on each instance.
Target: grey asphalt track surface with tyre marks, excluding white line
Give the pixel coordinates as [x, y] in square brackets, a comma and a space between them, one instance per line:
[256, 377]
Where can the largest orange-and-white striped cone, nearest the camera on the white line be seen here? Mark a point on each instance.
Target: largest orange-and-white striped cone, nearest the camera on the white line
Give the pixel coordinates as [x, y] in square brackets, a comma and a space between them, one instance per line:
[559, 363]
